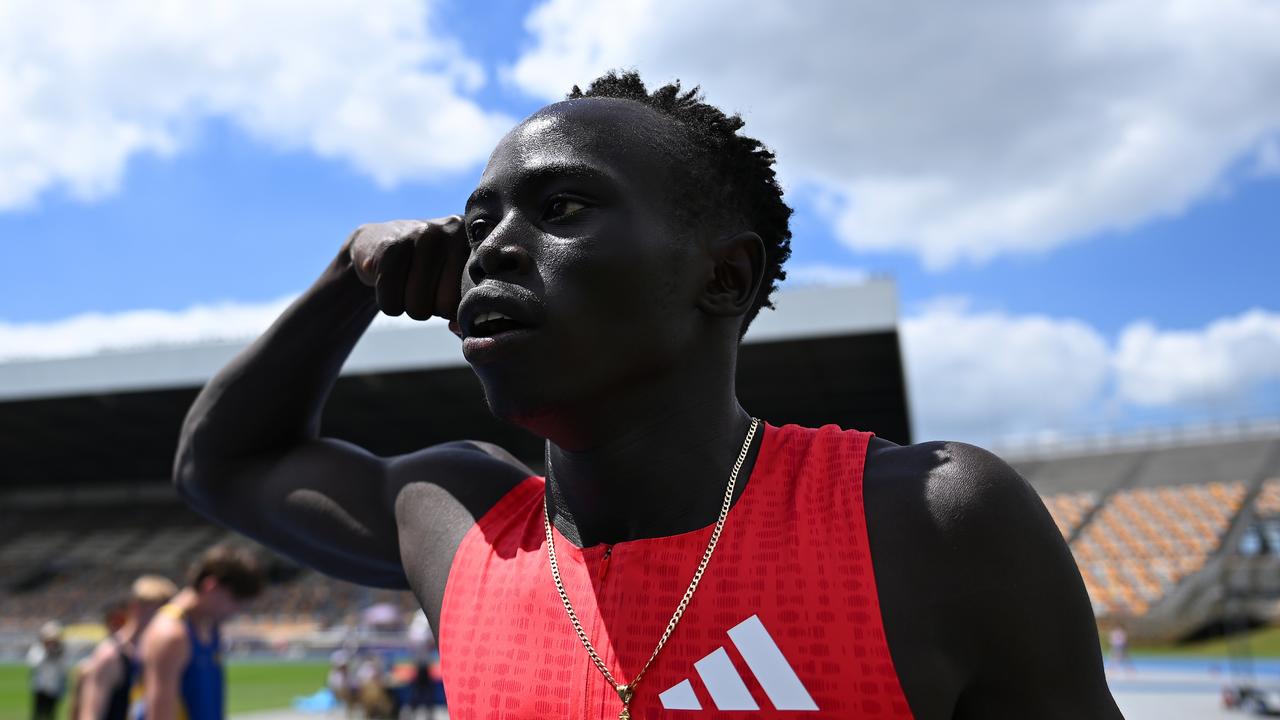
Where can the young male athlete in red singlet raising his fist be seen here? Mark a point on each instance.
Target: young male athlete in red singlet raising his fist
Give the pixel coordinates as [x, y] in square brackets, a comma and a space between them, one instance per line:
[606, 267]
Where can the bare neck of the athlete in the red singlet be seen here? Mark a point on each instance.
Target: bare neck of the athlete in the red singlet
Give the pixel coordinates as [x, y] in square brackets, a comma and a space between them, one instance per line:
[664, 473]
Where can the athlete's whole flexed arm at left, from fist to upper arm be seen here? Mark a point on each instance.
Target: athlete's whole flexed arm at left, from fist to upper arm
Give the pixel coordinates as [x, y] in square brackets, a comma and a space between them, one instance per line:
[250, 454]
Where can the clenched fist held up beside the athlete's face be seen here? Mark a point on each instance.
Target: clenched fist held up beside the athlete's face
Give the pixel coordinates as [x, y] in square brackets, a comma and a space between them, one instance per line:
[414, 266]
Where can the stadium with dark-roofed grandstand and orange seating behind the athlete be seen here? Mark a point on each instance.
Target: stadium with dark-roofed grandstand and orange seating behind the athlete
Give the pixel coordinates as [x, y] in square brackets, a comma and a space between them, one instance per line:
[1177, 535]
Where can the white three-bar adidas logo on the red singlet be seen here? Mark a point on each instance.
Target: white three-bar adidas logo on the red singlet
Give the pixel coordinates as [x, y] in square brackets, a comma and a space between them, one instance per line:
[726, 687]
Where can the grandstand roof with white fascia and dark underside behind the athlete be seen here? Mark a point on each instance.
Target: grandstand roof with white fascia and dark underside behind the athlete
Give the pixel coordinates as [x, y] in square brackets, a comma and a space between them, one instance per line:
[826, 356]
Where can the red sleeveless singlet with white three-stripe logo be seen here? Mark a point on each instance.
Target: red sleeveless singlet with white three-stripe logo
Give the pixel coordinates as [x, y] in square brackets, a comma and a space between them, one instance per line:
[785, 625]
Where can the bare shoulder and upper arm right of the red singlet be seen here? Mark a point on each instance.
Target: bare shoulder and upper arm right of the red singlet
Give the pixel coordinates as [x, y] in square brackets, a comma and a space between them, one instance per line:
[976, 582]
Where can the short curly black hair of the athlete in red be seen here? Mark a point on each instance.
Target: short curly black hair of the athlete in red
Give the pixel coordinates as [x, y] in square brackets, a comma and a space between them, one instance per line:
[732, 176]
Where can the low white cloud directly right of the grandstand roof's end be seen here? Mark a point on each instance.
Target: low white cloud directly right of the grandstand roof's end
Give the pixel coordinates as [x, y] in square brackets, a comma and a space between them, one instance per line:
[977, 376]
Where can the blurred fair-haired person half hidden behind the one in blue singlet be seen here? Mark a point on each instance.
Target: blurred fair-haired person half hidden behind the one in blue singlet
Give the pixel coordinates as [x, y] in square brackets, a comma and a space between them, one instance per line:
[108, 676]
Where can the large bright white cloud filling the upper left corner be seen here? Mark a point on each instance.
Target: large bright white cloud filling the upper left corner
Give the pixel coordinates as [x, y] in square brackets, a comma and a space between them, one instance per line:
[85, 86]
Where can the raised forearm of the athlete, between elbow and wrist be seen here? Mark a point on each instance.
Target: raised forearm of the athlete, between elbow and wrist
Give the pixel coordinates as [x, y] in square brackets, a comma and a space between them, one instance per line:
[272, 395]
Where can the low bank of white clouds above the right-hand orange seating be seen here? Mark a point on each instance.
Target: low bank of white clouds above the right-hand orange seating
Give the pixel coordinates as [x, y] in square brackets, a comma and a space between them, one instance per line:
[981, 376]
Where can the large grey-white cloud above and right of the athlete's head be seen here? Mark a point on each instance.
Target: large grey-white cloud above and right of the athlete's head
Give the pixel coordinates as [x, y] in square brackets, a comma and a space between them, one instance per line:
[958, 131]
